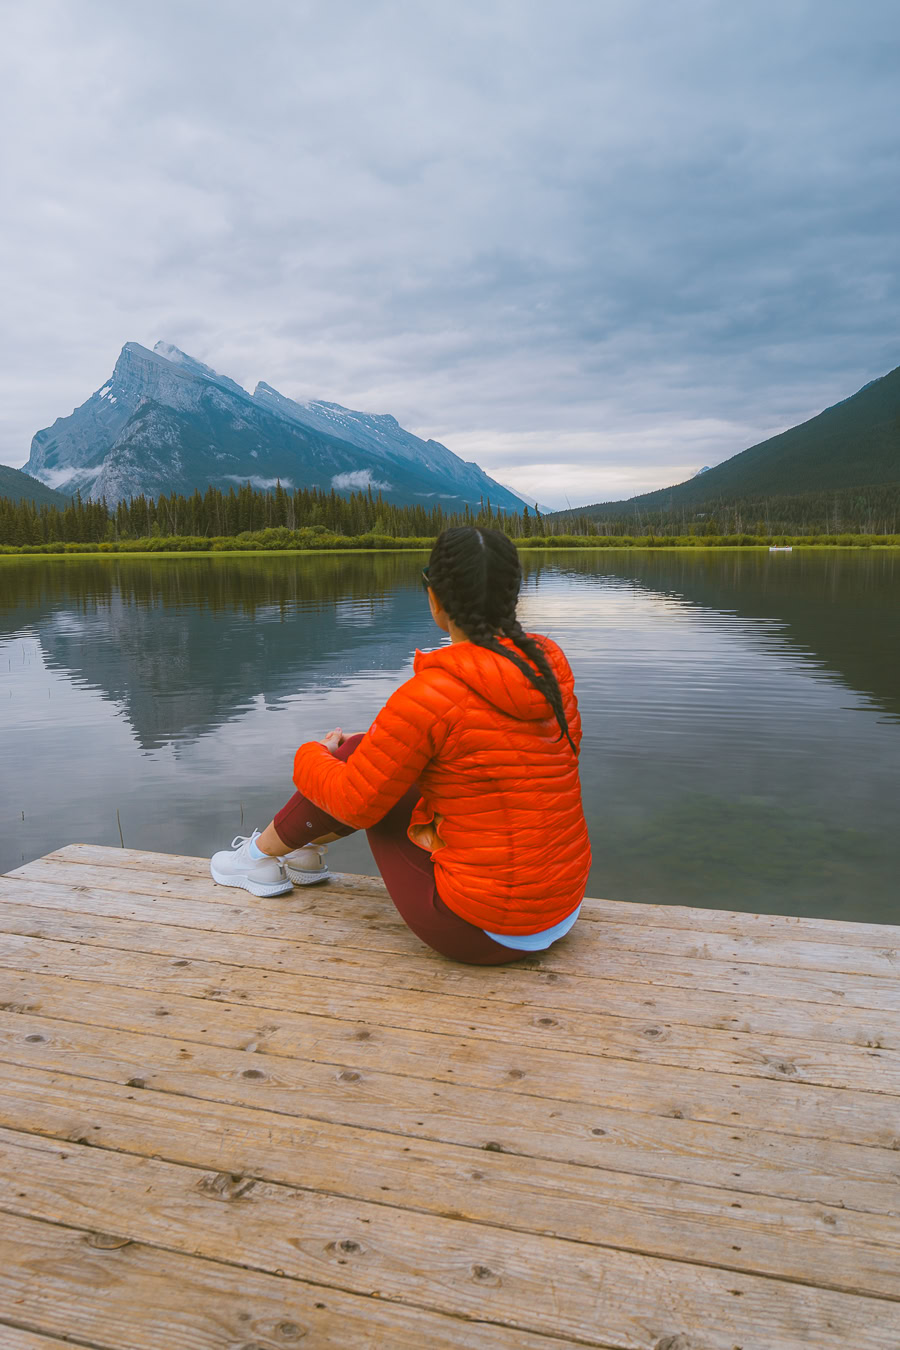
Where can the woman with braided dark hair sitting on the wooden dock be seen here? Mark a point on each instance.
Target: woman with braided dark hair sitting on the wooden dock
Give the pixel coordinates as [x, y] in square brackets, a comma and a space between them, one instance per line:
[466, 784]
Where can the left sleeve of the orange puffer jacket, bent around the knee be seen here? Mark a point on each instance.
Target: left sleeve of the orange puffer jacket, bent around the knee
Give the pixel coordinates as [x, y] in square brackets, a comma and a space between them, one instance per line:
[410, 731]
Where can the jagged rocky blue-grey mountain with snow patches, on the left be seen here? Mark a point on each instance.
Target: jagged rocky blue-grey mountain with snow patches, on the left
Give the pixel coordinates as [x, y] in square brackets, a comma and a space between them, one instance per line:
[168, 423]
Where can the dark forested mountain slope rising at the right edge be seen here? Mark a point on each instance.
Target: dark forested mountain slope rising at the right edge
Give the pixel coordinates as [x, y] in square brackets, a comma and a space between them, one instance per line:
[853, 445]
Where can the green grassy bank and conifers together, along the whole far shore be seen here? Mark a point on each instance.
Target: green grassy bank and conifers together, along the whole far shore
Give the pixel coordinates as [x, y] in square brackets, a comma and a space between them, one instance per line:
[312, 520]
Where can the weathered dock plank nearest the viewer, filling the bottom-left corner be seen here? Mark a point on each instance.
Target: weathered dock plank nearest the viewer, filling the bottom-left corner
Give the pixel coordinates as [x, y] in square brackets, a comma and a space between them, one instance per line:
[74, 1283]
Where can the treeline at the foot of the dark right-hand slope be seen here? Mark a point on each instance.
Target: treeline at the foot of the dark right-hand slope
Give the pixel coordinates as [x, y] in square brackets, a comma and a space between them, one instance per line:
[856, 511]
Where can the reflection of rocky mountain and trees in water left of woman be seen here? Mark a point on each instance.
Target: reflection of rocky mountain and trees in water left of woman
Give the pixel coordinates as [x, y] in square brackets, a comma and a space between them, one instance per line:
[184, 646]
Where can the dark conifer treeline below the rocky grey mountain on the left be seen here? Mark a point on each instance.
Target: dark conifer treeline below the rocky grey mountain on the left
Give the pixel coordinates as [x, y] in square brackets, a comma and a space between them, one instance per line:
[217, 515]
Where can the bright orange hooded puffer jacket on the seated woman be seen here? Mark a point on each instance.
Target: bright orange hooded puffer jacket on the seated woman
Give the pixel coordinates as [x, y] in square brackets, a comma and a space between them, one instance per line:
[501, 805]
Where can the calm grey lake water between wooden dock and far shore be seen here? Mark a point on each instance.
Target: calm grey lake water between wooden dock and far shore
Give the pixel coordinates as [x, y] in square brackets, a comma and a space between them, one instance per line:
[741, 709]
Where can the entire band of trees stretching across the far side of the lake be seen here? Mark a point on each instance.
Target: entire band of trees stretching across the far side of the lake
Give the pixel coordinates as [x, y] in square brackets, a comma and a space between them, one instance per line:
[246, 519]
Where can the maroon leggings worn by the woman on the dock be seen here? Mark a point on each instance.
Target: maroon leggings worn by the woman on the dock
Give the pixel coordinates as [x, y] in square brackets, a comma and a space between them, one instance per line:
[407, 870]
